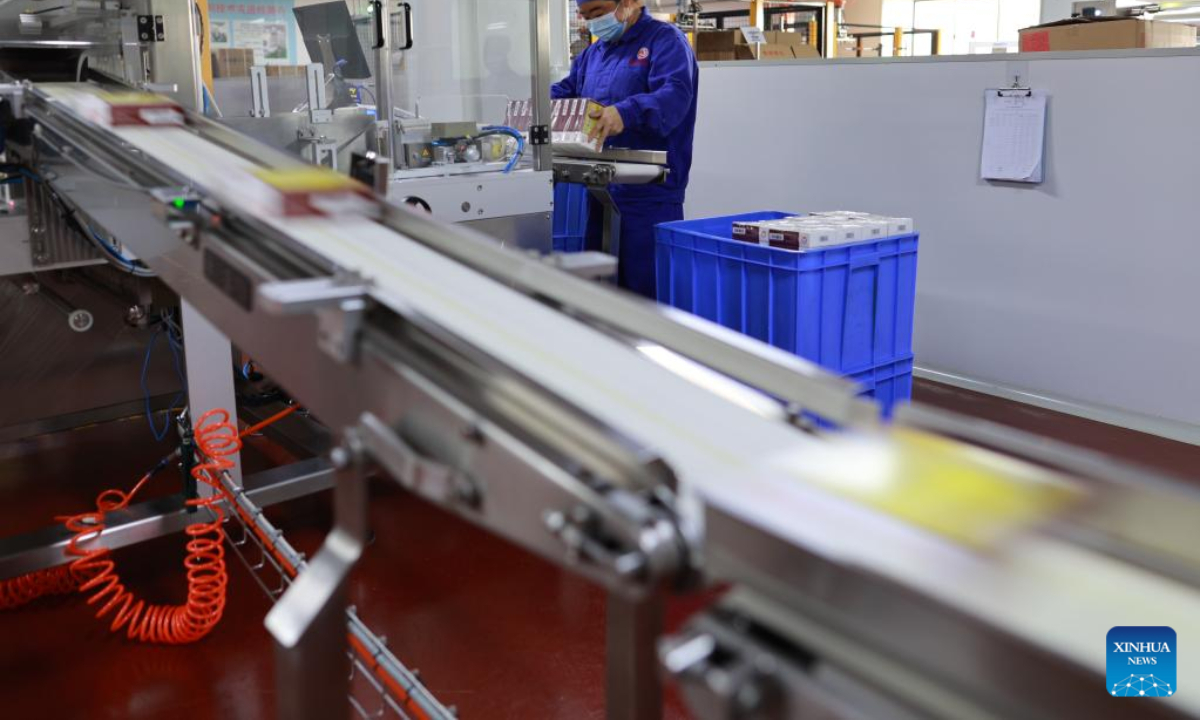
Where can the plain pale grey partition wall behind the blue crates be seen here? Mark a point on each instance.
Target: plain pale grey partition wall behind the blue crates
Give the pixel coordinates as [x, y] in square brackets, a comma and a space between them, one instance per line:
[1082, 295]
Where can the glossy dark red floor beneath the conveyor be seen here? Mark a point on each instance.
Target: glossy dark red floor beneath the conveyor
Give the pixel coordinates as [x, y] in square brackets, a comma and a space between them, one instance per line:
[494, 631]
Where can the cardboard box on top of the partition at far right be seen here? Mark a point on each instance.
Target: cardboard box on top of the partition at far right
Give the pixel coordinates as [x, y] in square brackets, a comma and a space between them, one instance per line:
[1107, 34]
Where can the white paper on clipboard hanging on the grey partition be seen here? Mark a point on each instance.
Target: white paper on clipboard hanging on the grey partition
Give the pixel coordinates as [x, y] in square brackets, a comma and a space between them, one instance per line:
[1015, 136]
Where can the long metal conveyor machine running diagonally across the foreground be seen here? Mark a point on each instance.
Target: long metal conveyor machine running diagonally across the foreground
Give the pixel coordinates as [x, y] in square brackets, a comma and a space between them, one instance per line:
[935, 568]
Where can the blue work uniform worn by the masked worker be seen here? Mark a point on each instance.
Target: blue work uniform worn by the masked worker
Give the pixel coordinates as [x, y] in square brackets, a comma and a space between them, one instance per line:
[651, 76]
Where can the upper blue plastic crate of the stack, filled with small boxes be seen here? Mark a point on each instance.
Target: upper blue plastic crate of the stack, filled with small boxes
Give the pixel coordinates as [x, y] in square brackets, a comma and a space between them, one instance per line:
[849, 309]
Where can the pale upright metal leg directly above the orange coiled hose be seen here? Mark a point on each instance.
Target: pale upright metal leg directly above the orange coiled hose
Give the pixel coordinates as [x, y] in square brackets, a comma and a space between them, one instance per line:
[209, 358]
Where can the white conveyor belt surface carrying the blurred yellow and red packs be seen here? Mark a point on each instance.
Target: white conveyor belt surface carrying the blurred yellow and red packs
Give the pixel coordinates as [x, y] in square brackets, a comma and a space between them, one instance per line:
[1042, 590]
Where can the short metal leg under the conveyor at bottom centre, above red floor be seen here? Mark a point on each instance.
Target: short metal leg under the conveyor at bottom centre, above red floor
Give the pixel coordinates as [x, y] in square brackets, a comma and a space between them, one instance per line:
[634, 688]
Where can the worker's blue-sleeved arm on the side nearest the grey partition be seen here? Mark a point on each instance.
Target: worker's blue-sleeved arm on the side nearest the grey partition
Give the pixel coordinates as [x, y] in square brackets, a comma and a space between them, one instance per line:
[671, 83]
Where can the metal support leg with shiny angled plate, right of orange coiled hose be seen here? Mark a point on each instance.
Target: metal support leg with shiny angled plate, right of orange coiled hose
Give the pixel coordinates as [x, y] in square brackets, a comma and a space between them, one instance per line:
[313, 671]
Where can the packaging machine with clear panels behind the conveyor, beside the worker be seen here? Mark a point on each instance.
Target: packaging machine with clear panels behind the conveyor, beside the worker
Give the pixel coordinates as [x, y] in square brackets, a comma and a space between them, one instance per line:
[435, 125]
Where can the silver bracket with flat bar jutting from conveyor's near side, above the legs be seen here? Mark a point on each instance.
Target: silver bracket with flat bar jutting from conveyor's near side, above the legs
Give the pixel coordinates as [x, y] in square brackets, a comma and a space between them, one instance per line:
[340, 305]
